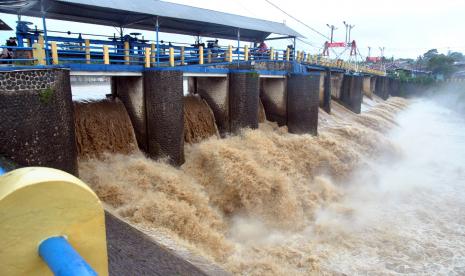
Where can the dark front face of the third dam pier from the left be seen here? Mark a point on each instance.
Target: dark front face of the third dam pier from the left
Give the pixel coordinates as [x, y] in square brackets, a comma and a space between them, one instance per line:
[244, 94]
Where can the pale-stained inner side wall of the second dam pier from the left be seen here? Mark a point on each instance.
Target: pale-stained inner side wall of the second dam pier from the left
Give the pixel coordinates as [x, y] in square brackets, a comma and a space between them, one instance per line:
[131, 92]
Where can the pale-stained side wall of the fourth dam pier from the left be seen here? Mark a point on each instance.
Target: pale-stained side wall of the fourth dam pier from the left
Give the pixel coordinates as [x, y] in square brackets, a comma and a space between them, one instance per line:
[273, 93]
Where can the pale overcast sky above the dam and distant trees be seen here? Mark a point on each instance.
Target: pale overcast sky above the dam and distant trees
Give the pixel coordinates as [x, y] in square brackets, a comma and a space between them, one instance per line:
[406, 28]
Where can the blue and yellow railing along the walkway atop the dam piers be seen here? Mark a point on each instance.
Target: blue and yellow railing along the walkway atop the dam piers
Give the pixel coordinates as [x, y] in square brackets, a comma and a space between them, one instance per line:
[59, 50]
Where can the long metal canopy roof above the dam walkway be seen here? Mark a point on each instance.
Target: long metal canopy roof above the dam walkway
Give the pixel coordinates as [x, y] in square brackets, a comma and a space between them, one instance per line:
[142, 14]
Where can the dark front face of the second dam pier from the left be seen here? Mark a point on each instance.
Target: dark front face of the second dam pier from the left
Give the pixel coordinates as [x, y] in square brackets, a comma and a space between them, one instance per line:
[165, 114]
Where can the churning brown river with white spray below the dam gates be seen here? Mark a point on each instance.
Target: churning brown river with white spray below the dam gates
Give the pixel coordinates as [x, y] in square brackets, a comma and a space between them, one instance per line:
[382, 193]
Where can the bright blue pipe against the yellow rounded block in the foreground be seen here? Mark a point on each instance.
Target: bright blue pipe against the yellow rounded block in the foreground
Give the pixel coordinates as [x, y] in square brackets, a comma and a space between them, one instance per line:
[62, 259]
